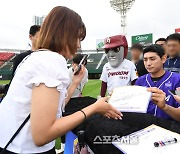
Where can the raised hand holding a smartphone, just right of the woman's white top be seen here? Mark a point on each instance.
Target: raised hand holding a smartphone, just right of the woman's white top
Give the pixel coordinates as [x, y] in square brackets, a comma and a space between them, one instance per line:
[76, 79]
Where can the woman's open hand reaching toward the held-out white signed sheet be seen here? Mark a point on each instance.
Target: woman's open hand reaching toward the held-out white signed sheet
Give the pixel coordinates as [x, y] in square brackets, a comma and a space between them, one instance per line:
[106, 109]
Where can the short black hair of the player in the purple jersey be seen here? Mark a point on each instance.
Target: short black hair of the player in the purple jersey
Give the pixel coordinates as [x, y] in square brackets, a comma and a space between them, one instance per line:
[155, 48]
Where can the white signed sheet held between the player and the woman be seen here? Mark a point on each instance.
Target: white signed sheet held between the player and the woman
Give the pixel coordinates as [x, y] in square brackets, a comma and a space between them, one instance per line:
[130, 99]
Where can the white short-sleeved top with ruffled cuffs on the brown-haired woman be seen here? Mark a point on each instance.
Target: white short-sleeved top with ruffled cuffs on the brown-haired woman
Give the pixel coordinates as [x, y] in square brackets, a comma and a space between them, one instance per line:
[45, 67]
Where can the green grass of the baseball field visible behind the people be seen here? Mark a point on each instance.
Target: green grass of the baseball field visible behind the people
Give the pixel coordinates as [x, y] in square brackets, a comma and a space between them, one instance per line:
[92, 89]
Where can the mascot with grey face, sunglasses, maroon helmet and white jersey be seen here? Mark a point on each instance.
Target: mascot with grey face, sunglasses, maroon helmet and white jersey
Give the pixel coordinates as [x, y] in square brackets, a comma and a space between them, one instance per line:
[118, 71]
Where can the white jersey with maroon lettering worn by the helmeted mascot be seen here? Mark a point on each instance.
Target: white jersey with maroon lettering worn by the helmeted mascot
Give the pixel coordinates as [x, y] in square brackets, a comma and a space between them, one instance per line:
[122, 75]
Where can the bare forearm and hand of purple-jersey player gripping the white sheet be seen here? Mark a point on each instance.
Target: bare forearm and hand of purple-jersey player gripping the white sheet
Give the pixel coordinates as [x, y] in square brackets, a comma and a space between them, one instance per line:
[158, 97]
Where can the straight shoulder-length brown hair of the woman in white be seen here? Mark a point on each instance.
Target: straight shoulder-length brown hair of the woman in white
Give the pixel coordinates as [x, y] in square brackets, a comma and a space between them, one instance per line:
[60, 31]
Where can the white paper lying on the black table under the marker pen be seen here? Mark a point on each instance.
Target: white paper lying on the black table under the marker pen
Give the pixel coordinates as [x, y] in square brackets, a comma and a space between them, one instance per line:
[146, 138]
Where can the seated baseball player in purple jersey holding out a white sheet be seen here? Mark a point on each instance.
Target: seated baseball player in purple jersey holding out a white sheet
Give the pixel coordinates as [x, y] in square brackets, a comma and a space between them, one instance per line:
[160, 83]
